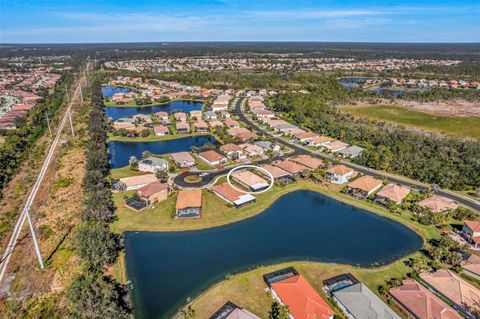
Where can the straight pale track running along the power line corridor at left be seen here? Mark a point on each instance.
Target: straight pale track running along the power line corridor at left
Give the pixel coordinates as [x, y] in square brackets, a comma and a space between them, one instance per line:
[24, 215]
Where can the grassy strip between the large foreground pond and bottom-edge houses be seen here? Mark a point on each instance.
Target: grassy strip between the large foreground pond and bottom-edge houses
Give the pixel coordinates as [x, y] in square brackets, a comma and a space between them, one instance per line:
[247, 289]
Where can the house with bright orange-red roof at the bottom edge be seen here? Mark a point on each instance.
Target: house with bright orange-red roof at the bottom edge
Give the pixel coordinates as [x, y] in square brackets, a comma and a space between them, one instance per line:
[301, 298]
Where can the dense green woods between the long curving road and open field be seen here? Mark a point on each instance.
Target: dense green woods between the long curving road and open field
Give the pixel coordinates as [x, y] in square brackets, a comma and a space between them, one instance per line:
[449, 162]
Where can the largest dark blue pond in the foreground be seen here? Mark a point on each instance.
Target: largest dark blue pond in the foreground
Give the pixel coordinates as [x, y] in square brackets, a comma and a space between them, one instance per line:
[166, 268]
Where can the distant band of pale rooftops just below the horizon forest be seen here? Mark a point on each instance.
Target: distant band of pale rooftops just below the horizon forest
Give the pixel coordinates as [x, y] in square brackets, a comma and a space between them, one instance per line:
[293, 62]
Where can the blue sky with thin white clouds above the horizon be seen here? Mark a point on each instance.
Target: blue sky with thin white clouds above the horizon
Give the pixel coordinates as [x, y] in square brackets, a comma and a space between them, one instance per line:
[58, 21]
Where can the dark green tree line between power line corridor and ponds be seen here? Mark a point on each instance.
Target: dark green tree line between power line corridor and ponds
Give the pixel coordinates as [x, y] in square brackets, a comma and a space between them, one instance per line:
[92, 294]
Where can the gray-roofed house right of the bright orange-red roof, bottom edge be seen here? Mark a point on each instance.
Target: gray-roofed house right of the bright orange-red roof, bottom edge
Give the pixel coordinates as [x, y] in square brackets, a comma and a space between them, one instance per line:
[359, 302]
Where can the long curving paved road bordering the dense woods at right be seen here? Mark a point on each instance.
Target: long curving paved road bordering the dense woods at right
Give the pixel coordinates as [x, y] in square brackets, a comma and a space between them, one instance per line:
[471, 203]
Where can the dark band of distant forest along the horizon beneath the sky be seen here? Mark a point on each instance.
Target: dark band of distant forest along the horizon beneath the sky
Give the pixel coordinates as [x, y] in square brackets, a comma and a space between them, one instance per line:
[114, 51]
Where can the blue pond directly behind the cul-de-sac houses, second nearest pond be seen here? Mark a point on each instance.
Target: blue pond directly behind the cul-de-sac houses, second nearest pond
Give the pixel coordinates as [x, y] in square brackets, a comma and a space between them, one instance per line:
[120, 152]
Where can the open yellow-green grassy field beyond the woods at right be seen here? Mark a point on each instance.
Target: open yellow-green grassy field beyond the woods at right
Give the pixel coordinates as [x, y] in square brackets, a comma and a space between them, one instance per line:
[455, 126]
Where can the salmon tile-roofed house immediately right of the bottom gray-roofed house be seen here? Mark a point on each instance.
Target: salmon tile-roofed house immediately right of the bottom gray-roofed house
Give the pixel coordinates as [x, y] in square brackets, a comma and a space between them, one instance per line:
[421, 303]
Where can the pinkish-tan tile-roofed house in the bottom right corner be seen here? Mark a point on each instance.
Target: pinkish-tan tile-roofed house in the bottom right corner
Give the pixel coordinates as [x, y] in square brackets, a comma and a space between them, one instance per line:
[450, 286]
